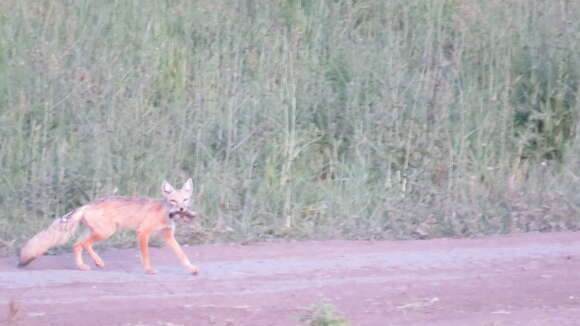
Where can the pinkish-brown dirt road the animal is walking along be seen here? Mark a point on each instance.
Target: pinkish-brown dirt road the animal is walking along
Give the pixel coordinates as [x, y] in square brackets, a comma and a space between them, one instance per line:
[528, 279]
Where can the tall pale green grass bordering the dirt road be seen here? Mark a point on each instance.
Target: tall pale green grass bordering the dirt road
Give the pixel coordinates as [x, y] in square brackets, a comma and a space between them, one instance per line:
[296, 118]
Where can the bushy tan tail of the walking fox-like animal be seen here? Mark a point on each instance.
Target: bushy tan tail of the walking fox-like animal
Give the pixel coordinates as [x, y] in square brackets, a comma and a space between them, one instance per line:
[56, 234]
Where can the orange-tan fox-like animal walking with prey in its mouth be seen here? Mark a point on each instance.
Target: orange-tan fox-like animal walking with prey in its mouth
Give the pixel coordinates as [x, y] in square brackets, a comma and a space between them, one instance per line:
[103, 216]
